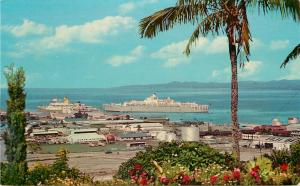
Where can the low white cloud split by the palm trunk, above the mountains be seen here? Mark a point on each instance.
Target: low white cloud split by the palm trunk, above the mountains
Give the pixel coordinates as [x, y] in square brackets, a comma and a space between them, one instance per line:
[249, 70]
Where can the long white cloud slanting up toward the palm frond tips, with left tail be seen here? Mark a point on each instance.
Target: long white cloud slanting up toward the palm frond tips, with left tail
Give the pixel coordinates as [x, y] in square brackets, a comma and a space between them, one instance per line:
[91, 32]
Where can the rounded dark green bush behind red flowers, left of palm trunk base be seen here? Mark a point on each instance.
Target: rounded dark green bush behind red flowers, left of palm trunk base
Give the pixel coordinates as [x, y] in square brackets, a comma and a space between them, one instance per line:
[187, 154]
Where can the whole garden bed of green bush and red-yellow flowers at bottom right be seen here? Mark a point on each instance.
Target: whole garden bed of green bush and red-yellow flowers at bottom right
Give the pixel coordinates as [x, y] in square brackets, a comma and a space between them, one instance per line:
[177, 163]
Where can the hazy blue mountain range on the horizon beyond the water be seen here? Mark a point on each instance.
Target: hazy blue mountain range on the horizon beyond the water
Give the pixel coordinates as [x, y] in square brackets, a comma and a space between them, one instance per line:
[245, 85]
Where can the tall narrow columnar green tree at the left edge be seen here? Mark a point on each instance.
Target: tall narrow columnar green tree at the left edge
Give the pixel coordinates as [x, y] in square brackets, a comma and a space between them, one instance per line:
[14, 173]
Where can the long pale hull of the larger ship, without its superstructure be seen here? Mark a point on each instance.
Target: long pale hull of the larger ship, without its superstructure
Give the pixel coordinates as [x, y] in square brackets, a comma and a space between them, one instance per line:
[168, 109]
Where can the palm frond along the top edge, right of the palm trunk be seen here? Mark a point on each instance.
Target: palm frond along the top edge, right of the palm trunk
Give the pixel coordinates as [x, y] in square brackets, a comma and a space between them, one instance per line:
[287, 8]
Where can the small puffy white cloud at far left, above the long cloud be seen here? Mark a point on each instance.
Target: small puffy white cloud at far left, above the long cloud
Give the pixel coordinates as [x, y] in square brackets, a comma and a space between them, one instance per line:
[26, 28]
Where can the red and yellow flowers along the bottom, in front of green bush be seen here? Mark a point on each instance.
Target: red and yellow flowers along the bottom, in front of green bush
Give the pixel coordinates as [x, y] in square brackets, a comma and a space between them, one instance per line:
[256, 172]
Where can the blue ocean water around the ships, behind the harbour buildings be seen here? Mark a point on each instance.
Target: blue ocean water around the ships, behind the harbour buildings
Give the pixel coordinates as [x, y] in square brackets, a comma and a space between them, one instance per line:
[255, 106]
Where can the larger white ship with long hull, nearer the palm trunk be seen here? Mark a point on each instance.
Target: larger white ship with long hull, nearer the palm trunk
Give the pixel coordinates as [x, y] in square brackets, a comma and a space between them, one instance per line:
[153, 104]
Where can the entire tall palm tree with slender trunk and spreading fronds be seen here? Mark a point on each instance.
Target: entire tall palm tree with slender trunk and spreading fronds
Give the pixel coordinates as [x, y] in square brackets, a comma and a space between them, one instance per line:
[215, 17]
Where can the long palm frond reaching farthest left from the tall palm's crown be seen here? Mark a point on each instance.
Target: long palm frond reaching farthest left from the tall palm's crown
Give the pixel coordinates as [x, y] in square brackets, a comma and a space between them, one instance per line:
[186, 11]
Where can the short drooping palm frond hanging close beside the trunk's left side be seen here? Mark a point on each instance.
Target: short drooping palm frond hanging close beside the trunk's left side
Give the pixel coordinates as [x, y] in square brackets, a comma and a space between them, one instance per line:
[213, 23]
